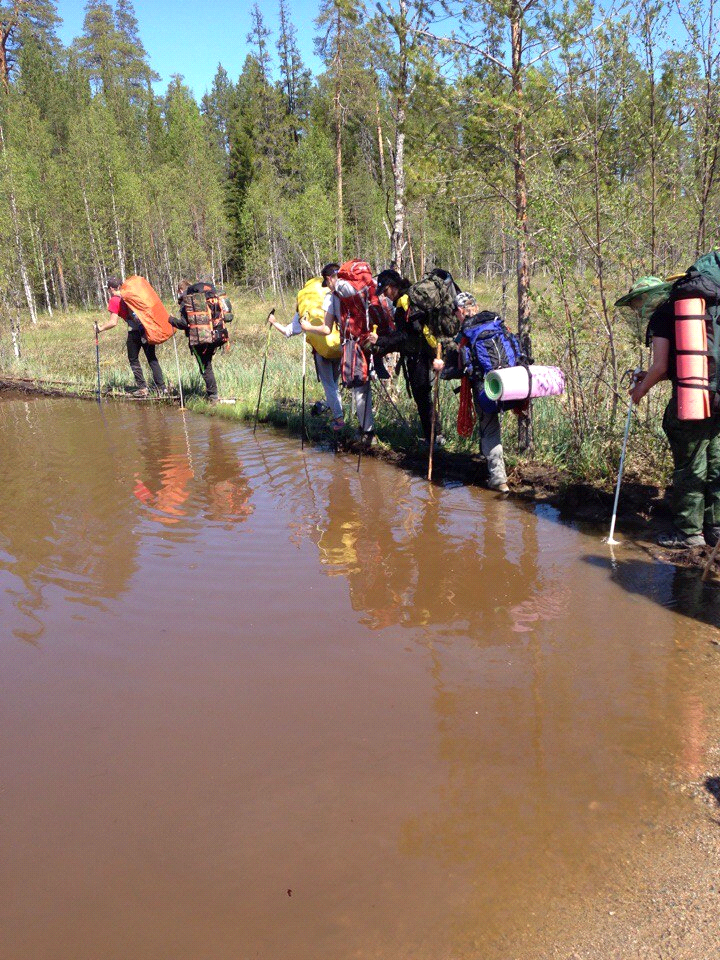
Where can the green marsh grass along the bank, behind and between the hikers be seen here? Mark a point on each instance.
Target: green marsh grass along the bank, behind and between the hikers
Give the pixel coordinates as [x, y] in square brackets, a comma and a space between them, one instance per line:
[61, 350]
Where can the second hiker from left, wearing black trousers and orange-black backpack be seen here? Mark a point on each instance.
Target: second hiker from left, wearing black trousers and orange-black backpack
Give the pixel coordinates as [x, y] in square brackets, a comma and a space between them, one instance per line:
[203, 319]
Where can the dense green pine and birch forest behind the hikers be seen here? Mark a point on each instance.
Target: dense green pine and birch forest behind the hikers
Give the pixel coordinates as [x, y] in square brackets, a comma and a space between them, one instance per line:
[546, 153]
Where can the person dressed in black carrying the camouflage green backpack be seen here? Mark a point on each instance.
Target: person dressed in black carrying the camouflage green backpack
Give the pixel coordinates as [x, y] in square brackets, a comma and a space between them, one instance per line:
[417, 346]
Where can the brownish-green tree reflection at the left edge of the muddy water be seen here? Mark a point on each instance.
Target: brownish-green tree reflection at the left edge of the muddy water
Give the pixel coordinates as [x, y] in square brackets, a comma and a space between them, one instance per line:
[60, 527]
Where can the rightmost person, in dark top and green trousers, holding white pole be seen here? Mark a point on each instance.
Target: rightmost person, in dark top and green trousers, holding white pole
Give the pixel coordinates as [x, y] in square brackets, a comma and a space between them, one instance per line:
[694, 444]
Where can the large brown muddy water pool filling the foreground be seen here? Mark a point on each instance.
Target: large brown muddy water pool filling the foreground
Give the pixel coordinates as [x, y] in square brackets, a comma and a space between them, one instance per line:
[258, 705]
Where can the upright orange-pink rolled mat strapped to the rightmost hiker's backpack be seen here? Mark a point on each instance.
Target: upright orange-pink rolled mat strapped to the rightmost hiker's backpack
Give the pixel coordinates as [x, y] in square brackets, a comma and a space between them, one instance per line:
[692, 360]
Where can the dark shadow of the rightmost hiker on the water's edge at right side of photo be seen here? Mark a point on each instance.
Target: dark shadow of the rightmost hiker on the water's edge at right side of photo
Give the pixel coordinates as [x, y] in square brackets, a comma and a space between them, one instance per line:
[679, 589]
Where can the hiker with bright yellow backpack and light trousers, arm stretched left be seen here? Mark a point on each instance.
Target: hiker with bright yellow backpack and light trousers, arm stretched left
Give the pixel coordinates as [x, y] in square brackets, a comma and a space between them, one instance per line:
[313, 302]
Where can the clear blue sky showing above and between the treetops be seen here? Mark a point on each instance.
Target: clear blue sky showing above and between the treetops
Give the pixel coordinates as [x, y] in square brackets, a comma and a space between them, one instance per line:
[168, 30]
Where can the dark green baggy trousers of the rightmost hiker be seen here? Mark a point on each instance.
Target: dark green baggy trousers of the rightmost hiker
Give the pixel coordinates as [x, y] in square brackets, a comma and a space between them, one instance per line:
[695, 447]
